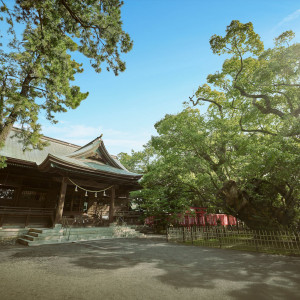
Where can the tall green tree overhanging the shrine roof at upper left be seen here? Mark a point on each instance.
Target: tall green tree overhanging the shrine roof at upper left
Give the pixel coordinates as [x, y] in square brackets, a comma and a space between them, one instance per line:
[37, 66]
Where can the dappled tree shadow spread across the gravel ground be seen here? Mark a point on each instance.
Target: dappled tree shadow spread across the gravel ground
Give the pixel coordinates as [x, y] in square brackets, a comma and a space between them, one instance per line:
[255, 275]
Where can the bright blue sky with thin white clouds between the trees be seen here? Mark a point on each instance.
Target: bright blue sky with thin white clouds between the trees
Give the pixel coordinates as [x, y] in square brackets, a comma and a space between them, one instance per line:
[171, 57]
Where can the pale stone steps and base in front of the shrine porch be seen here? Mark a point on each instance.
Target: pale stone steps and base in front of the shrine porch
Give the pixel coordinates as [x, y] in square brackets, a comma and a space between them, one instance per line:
[36, 237]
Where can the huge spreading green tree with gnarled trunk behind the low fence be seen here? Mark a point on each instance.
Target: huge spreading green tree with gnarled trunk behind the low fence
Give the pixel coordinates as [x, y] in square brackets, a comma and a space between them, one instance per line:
[242, 155]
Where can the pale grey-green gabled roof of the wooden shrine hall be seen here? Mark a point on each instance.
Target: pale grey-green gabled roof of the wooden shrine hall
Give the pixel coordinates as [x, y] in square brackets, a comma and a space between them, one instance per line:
[92, 157]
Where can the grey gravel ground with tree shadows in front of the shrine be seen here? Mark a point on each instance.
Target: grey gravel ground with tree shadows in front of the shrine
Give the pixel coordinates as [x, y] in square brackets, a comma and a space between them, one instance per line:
[144, 269]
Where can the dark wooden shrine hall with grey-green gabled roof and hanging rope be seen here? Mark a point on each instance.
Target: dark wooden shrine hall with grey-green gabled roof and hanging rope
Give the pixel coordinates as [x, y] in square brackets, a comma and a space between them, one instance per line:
[62, 182]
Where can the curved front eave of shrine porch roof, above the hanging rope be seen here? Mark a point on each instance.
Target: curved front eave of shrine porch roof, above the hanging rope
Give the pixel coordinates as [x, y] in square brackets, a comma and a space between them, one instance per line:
[52, 162]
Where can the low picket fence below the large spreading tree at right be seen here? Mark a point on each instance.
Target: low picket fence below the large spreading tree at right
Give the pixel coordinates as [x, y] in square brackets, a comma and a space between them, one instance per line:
[284, 242]
